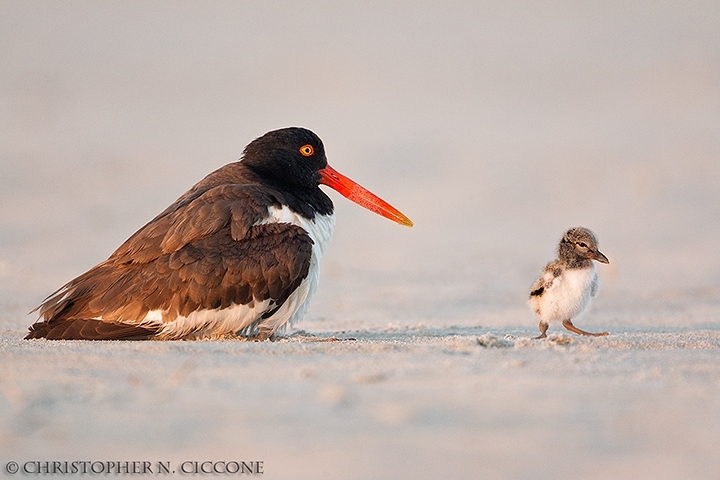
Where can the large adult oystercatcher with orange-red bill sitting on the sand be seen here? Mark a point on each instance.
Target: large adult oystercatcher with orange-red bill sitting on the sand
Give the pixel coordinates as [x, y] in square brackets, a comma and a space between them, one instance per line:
[236, 254]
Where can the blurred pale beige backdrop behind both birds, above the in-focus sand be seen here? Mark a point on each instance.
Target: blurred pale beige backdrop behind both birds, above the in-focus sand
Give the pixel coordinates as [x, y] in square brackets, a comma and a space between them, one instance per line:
[494, 125]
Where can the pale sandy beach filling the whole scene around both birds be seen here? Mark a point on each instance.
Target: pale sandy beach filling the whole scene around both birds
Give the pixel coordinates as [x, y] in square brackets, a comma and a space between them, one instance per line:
[494, 127]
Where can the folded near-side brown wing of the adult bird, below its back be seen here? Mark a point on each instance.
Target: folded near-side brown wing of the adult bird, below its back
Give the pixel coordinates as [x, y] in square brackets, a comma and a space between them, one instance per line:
[213, 272]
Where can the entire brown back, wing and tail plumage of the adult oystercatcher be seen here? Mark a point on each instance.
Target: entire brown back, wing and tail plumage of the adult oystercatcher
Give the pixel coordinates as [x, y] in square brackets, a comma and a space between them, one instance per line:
[215, 259]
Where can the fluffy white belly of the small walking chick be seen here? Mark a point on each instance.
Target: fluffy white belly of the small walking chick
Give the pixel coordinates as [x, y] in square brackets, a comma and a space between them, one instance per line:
[568, 296]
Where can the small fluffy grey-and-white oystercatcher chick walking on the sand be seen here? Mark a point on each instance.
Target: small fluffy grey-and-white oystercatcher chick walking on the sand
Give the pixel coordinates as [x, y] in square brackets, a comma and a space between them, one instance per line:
[567, 284]
